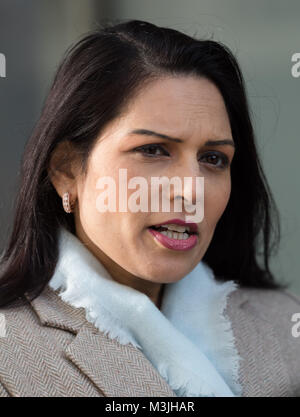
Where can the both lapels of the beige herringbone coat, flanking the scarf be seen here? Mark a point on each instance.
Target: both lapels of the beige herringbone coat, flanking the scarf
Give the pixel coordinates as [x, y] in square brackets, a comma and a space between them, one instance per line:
[123, 370]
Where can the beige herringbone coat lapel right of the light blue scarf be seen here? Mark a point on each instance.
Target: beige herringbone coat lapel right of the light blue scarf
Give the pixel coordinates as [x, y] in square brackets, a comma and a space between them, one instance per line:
[263, 372]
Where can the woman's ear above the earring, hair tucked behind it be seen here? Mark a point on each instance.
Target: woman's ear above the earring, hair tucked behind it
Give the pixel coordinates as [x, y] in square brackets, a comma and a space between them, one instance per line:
[63, 168]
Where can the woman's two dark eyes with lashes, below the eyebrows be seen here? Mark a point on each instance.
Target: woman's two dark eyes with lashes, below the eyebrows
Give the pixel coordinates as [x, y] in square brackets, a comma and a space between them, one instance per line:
[215, 158]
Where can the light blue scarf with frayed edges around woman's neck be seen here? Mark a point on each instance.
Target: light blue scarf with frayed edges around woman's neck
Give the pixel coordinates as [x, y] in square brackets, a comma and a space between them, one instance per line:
[189, 341]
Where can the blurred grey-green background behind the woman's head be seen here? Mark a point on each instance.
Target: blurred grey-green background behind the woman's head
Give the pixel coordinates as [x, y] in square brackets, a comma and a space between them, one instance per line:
[263, 34]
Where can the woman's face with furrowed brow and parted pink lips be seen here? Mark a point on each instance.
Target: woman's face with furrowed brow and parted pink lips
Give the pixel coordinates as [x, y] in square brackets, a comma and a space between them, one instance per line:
[185, 107]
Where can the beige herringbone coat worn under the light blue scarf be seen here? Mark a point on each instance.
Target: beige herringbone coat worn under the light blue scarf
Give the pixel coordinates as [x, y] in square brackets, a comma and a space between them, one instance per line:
[50, 349]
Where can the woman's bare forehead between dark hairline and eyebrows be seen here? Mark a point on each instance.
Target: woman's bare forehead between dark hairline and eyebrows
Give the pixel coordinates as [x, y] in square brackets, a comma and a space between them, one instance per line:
[181, 104]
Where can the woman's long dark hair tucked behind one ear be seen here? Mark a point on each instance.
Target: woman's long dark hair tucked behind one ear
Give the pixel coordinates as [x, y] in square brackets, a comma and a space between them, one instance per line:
[92, 86]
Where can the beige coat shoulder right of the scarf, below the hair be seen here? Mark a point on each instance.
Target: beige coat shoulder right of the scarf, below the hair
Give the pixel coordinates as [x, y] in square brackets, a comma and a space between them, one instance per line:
[266, 323]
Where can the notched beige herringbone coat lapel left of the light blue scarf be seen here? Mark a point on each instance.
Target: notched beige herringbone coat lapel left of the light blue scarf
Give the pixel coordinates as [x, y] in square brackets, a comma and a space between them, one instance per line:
[115, 369]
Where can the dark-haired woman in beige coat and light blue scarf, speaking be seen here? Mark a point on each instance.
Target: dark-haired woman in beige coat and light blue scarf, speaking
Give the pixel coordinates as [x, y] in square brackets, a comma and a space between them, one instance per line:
[129, 302]
